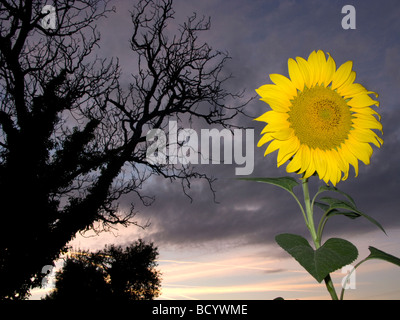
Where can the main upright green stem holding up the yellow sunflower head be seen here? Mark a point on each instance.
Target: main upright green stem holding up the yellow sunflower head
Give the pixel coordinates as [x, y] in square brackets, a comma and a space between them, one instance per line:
[316, 237]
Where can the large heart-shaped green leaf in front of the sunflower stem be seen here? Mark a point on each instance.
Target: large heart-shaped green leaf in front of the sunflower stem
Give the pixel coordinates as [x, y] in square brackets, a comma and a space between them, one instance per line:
[334, 254]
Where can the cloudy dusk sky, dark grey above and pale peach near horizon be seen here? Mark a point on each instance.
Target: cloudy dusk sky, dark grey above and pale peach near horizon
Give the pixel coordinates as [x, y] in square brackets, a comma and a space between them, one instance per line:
[225, 249]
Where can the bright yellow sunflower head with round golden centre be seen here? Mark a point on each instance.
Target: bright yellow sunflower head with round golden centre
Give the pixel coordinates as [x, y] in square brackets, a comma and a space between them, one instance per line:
[320, 119]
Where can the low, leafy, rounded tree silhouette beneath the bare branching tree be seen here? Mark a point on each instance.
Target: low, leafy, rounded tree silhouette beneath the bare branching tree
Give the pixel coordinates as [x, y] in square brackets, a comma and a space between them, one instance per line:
[114, 273]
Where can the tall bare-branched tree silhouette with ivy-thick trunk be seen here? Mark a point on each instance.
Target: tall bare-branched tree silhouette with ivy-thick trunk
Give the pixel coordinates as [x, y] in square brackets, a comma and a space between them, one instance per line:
[73, 138]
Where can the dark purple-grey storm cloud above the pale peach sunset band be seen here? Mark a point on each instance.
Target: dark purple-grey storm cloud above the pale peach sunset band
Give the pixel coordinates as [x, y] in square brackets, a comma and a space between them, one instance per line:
[260, 36]
